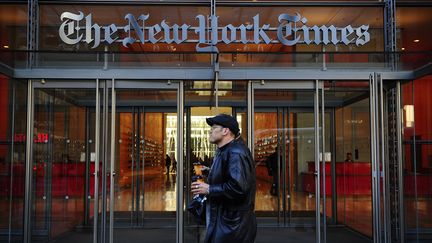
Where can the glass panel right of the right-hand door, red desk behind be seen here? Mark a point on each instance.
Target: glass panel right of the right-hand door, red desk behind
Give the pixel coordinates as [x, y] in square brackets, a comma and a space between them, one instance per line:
[353, 182]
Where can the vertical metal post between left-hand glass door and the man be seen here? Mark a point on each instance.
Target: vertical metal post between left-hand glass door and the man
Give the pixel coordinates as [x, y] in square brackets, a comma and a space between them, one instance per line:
[180, 156]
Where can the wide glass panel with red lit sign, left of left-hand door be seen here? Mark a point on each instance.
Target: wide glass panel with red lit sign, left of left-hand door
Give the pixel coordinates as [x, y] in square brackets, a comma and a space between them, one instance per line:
[62, 189]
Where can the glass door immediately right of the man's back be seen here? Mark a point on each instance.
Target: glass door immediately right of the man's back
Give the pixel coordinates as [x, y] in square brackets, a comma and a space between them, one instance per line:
[286, 131]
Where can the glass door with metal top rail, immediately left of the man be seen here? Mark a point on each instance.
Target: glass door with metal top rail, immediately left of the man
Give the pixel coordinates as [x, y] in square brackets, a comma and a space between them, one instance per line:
[145, 181]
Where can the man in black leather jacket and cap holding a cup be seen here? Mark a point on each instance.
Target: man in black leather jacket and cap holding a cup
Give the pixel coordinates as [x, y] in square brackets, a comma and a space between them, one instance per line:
[230, 186]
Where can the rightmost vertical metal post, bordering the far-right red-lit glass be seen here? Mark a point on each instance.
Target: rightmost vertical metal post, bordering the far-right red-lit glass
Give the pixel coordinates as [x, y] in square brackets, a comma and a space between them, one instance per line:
[400, 162]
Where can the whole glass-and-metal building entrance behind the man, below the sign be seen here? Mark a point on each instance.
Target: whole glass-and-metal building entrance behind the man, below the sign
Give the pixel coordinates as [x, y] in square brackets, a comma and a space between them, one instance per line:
[109, 159]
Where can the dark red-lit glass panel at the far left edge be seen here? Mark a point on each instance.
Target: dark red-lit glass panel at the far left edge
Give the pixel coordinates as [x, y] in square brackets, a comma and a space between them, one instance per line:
[13, 102]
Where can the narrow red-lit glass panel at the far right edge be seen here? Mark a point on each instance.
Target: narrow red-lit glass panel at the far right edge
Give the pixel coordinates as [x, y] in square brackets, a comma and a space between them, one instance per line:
[417, 157]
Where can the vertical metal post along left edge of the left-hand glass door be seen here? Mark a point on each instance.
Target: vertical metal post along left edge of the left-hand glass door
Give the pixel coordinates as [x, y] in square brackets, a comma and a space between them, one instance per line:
[112, 172]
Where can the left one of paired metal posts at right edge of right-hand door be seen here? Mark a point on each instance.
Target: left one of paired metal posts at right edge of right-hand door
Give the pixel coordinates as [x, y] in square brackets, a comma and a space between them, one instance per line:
[317, 168]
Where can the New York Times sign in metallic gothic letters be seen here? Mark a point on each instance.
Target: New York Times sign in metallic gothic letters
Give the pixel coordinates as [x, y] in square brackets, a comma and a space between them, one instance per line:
[292, 30]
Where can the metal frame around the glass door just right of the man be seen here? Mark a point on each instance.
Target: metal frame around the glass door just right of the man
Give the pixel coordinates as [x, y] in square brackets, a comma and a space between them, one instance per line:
[318, 88]
